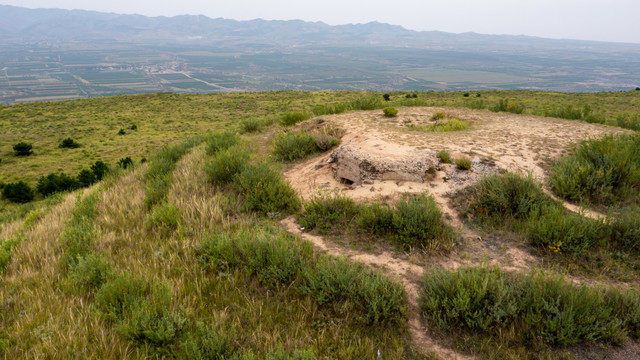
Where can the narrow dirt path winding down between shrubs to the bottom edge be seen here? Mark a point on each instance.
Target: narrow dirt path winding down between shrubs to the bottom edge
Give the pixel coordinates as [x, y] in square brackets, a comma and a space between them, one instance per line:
[407, 273]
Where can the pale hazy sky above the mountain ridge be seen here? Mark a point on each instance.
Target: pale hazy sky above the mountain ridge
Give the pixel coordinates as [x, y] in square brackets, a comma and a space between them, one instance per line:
[605, 20]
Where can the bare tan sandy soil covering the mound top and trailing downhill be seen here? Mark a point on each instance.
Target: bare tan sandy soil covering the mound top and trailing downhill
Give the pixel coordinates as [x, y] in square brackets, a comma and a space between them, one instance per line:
[494, 142]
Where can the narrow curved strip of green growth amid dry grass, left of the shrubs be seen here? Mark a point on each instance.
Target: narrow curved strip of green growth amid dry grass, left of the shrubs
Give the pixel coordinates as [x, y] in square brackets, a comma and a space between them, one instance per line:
[158, 173]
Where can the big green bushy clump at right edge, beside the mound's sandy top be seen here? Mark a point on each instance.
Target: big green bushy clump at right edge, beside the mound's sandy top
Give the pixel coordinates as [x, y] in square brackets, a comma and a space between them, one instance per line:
[604, 171]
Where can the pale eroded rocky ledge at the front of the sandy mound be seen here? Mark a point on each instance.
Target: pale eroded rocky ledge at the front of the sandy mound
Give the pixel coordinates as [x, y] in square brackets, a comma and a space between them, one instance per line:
[351, 165]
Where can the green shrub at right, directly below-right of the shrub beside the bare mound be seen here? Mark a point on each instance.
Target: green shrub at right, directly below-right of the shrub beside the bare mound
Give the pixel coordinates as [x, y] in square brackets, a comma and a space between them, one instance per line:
[551, 227]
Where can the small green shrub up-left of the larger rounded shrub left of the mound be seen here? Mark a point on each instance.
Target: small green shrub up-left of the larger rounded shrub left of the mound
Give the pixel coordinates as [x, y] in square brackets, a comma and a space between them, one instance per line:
[225, 164]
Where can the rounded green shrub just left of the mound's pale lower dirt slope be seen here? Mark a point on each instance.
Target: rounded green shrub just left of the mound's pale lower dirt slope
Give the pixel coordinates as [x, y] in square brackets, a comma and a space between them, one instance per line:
[264, 190]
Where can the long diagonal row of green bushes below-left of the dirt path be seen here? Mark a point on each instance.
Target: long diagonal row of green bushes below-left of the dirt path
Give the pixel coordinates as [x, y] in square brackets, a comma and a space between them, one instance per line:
[280, 261]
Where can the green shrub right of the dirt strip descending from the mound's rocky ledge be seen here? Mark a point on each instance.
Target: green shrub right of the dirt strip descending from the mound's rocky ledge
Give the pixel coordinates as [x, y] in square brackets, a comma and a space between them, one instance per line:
[507, 196]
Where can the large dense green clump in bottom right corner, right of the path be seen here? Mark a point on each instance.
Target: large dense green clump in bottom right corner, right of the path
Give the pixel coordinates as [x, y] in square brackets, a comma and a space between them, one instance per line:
[526, 310]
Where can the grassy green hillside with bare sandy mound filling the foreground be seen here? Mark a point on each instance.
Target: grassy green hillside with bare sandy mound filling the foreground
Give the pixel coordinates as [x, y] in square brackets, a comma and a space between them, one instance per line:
[309, 225]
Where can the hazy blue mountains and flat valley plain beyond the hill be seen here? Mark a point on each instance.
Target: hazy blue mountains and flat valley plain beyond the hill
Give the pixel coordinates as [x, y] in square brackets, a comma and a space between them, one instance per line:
[371, 56]
